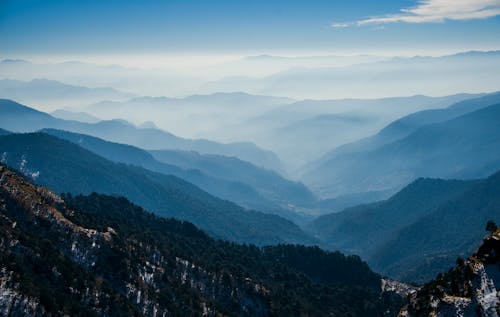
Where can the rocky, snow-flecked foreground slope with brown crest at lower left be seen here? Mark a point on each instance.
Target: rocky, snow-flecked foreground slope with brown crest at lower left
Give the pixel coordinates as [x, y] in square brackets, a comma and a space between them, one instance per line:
[46, 260]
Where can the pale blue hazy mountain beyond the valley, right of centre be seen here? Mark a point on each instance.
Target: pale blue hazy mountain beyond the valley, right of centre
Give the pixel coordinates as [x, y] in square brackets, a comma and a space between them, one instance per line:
[318, 126]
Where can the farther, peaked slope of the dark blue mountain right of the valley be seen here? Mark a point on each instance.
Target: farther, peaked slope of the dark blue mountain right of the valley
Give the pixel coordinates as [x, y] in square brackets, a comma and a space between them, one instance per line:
[348, 230]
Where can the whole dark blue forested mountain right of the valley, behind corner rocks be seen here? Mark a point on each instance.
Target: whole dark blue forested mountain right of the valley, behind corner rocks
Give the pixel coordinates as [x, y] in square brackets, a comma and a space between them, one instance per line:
[412, 235]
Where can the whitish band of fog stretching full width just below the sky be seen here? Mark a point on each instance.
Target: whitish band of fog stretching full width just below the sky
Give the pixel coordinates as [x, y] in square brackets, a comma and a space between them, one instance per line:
[309, 77]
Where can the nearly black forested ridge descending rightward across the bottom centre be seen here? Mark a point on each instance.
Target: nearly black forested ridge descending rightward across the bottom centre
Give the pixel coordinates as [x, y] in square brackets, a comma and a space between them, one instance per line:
[301, 280]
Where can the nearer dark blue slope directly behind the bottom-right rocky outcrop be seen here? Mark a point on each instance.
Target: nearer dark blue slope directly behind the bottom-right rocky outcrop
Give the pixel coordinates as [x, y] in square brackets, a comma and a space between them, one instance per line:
[435, 235]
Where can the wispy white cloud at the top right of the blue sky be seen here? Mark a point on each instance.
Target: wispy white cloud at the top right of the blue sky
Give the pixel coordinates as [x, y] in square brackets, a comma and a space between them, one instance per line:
[433, 11]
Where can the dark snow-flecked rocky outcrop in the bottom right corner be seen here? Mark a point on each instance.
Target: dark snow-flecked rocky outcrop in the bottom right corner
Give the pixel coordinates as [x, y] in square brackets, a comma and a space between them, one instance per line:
[468, 289]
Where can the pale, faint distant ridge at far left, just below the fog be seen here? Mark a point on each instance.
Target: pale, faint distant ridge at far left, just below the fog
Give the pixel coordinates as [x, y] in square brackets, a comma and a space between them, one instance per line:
[50, 93]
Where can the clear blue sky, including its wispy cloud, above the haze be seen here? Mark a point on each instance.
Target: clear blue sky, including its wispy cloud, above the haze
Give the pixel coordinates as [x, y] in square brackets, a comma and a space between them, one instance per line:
[239, 26]
